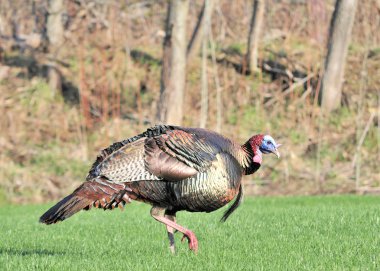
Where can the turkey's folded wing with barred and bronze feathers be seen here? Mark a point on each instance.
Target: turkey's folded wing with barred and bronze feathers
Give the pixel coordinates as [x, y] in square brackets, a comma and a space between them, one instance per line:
[162, 152]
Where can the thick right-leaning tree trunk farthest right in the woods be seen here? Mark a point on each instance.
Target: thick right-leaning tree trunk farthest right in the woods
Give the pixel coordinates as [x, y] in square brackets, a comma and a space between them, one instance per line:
[339, 39]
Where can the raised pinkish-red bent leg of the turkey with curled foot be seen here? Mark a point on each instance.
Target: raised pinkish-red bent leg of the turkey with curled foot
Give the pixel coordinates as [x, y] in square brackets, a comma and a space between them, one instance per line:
[159, 214]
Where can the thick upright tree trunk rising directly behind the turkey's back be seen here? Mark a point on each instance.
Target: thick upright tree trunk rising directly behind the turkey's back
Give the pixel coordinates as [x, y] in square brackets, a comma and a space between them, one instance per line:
[173, 74]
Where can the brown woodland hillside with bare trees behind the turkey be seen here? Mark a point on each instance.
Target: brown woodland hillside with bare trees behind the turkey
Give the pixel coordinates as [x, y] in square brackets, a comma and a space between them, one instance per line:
[77, 75]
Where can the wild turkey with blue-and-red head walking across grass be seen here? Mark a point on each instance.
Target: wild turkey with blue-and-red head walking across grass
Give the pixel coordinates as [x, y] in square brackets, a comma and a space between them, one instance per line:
[172, 168]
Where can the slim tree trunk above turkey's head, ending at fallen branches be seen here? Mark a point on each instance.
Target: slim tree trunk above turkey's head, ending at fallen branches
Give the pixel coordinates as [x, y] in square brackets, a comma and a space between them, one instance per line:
[254, 34]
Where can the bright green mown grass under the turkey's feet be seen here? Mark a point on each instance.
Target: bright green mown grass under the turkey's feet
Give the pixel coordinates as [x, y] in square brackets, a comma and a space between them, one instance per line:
[295, 233]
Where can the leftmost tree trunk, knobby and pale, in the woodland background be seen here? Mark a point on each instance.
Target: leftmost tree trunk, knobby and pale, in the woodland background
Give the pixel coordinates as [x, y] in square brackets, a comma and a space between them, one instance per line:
[55, 39]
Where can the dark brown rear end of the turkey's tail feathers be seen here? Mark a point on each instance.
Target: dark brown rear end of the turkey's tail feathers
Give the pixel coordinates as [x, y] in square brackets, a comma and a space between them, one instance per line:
[64, 209]
